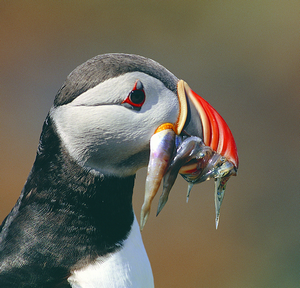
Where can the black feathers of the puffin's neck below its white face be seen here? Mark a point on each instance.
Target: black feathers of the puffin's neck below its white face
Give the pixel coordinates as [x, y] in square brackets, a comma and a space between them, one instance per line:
[67, 216]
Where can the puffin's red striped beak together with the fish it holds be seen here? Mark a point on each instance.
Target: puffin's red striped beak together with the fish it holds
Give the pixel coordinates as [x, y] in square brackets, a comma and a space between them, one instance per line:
[199, 146]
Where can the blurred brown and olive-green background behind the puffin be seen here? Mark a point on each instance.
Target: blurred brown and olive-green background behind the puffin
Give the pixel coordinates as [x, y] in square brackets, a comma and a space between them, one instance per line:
[243, 57]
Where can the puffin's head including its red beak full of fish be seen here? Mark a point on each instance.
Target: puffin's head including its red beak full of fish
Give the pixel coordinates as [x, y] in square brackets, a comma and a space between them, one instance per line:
[117, 113]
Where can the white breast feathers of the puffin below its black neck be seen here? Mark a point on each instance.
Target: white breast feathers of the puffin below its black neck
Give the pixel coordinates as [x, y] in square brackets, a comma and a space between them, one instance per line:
[127, 268]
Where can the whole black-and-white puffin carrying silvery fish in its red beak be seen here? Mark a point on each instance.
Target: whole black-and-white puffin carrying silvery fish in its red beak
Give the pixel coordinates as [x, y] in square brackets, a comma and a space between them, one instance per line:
[73, 224]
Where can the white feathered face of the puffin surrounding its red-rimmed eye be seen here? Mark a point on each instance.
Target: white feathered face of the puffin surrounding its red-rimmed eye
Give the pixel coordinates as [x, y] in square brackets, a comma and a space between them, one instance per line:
[101, 134]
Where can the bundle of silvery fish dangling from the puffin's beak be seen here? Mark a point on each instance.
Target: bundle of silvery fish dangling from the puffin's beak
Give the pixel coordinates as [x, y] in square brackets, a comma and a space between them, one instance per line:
[172, 154]
